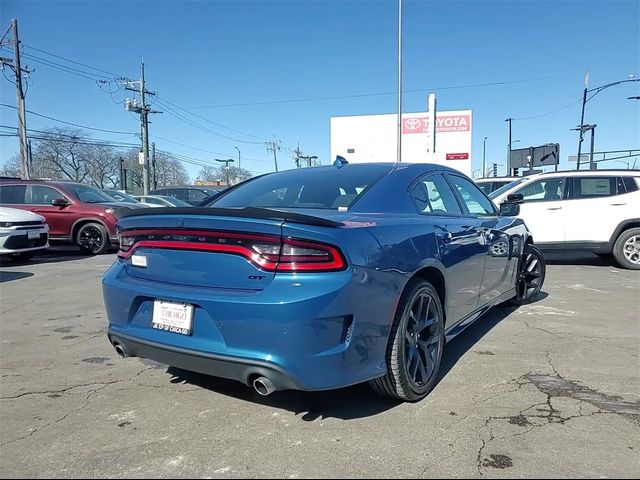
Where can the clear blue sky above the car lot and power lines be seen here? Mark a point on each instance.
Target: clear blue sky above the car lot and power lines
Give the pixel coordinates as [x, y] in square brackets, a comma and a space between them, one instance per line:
[217, 53]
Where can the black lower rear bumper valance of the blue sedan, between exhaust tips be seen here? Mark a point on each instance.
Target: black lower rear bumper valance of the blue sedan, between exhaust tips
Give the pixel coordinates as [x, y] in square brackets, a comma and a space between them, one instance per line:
[239, 369]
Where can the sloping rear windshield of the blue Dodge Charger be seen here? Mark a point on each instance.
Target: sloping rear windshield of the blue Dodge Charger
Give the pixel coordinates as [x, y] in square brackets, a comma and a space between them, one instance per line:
[324, 187]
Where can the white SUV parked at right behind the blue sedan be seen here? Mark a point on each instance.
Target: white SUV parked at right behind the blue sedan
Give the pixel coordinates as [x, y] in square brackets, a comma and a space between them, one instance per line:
[596, 210]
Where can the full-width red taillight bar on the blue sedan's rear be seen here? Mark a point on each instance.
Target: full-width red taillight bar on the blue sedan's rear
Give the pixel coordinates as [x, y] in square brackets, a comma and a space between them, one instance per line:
[268, 252]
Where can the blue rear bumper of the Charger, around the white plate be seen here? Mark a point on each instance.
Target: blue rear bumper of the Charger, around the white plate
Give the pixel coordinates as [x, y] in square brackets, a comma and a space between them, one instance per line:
[305, 332]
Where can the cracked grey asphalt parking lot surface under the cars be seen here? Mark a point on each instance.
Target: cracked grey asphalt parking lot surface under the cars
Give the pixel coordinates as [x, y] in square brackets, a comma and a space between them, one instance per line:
[548, 390]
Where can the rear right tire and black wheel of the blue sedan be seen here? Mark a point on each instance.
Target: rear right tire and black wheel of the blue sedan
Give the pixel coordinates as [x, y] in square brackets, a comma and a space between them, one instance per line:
[415, 347]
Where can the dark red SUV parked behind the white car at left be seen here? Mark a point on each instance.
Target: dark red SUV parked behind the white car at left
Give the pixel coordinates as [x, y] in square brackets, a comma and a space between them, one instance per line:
[76, 213]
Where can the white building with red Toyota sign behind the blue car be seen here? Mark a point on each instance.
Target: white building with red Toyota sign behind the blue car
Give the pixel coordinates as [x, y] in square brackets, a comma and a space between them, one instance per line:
[372, 138]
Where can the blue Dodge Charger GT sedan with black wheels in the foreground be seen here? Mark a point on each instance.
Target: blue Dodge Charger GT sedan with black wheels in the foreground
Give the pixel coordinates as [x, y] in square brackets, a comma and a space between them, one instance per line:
[319, 278]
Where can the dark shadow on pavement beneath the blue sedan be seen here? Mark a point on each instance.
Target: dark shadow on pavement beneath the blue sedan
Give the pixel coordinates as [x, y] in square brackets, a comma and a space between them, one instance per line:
[349, 403]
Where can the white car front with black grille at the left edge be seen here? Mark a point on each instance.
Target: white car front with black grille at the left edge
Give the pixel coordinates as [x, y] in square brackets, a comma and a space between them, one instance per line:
[22, 233]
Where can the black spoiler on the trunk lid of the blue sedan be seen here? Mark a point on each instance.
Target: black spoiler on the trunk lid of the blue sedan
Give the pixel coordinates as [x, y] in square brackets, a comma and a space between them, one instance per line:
[247, 212]
